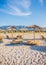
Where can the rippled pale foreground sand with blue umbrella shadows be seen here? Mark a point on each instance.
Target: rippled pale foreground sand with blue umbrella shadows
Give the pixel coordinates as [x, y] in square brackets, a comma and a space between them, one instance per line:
[21, 54]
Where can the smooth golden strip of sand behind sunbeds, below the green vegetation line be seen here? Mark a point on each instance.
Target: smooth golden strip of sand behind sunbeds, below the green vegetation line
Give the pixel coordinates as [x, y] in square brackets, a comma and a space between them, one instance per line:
[27, 35]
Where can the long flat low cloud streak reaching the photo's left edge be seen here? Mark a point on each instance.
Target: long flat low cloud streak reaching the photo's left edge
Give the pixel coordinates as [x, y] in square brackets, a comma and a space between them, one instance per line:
[16, 13]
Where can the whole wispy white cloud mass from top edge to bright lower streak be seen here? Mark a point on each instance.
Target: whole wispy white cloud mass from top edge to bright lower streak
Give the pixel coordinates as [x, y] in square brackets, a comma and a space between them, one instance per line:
[13, 9]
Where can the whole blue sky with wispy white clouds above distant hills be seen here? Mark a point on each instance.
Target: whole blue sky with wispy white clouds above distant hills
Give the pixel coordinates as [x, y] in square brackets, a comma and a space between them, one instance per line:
[23, 12]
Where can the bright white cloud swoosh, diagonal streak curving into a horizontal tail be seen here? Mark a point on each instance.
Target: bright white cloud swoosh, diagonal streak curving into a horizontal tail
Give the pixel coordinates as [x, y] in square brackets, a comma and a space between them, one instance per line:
[18, 12]
